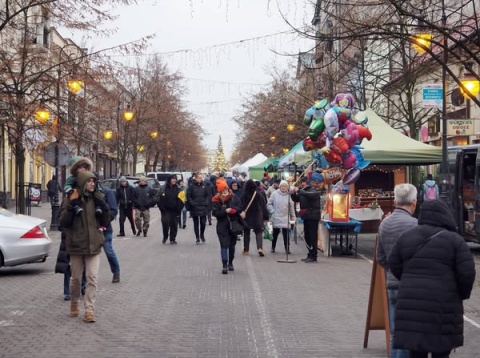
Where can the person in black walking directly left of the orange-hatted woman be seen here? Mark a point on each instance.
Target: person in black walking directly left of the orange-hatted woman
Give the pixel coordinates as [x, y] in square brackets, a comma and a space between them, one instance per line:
[199, 198]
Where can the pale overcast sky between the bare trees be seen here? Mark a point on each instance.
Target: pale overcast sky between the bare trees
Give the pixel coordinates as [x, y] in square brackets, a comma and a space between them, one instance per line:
[221, 47]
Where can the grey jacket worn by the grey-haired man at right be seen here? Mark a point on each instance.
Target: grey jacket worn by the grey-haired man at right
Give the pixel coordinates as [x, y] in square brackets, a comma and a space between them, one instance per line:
[388, 233]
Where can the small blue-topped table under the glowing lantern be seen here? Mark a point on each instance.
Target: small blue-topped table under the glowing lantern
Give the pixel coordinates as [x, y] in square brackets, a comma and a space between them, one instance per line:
[345, 234]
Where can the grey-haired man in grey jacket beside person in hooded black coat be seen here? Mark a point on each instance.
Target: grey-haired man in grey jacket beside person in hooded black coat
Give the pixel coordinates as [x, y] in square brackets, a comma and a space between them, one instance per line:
[390, 229]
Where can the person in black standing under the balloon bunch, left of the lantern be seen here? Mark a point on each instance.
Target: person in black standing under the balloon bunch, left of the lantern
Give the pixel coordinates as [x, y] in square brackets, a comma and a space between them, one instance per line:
[309, 199]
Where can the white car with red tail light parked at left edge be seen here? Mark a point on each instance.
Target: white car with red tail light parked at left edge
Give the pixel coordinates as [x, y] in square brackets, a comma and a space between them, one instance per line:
[23, 239]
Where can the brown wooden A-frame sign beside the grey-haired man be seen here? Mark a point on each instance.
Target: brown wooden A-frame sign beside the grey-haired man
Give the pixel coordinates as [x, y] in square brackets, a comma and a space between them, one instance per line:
[377, 314]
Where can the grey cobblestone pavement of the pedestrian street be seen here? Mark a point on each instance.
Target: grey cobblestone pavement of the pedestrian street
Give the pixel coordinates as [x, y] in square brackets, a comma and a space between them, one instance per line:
[173, 301]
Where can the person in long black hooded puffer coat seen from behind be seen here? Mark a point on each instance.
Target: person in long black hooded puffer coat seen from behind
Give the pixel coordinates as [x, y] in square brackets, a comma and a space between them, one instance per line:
[436, 272]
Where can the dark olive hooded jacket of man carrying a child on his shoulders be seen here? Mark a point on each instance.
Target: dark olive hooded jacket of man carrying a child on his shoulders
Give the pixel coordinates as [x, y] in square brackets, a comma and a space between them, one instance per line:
[84, 231]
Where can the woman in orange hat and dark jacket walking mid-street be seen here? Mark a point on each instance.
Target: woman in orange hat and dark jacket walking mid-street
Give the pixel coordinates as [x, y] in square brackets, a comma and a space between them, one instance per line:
[226, 207]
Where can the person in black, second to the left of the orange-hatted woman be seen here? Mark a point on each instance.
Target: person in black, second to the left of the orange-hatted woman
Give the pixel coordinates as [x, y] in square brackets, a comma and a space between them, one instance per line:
[170, 207]
